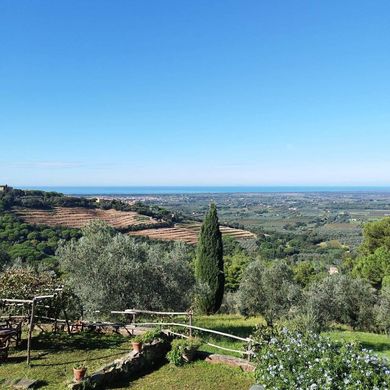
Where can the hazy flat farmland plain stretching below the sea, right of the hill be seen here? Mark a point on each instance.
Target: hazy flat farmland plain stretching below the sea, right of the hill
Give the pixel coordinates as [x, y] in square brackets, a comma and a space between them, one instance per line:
[332, 215]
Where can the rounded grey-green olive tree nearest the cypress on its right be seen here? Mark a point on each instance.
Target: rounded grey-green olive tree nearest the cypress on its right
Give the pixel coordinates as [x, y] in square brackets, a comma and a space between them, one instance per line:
[268, 290]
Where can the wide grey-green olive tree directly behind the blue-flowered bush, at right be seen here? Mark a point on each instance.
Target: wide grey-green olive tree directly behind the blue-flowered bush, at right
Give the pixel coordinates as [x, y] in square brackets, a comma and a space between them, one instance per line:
[342, 299]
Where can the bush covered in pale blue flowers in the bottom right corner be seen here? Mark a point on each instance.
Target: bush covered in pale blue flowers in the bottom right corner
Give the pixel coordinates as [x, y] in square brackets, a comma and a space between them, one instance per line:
[287, 359]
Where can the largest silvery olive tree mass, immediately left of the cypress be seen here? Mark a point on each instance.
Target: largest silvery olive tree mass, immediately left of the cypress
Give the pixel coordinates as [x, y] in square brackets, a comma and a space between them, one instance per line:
[111, 271]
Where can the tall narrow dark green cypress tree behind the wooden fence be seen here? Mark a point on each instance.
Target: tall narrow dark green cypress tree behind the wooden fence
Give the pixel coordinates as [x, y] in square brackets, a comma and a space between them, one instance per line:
[209, 273]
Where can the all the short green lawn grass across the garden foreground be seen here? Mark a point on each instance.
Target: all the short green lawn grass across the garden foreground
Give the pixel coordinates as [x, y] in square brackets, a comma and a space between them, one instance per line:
[54, 356]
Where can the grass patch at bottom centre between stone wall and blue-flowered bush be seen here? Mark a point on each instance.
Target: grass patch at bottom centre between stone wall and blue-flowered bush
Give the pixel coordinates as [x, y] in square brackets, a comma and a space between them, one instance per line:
[198, 375]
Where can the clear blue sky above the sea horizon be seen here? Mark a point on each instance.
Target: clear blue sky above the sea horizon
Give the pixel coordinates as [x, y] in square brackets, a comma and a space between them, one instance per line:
[212, 92]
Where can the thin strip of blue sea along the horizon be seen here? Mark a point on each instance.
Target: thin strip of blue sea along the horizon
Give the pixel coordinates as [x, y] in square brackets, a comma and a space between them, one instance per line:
[164, 190]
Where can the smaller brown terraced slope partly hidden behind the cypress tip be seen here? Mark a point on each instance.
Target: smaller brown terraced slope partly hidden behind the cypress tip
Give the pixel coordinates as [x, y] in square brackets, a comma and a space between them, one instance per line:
[189, 233]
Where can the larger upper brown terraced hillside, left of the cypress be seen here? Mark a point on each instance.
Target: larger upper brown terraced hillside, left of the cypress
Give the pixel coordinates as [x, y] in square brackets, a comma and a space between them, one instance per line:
[79, 216]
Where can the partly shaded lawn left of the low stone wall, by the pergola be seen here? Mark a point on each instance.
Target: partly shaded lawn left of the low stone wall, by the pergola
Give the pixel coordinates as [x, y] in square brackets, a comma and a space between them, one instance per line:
[54, 355]
